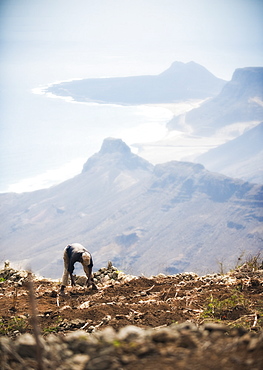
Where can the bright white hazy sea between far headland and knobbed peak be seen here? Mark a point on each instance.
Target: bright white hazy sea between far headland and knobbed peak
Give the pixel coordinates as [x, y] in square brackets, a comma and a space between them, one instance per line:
[46, 139]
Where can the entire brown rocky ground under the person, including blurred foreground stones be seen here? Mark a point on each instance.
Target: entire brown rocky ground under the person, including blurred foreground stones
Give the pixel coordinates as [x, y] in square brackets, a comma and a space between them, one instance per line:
[182, 321]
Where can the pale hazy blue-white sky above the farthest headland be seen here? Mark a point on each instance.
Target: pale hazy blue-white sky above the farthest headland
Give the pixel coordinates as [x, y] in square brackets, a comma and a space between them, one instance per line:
[58, 39]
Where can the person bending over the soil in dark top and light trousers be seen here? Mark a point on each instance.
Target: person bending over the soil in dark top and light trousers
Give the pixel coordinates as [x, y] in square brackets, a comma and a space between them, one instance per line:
[77, 253]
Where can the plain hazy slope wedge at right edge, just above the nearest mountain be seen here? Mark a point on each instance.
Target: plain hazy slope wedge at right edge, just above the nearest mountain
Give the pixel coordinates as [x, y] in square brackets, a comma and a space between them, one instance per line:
[241, 157]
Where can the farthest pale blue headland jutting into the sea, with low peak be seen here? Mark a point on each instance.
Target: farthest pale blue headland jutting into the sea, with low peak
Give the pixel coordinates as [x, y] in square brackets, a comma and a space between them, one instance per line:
[182, 81]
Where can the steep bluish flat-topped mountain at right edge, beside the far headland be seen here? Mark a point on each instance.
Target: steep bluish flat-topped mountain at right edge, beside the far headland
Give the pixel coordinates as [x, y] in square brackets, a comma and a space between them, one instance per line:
[241, 100]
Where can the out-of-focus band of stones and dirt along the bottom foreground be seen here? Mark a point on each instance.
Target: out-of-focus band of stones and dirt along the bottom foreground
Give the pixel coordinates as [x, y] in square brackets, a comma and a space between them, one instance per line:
[131, 345]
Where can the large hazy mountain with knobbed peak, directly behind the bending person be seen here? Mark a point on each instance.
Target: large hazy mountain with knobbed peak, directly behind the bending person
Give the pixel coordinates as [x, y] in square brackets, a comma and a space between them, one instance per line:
[146, 219]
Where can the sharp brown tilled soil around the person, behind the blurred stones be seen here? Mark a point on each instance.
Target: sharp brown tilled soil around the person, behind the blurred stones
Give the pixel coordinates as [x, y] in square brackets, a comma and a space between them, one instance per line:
[145, 302]
